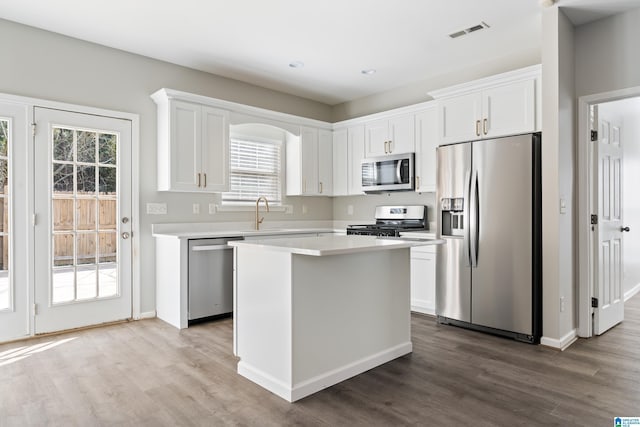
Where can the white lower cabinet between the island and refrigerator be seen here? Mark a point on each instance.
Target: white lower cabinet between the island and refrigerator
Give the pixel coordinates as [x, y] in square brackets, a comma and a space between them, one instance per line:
[423, 279]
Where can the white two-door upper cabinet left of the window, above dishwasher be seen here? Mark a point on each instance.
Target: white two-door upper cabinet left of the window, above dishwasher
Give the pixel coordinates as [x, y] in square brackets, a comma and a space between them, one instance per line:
[193, 148]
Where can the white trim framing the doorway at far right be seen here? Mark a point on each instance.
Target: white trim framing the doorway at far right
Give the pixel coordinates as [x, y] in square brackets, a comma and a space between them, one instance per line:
[584, 180]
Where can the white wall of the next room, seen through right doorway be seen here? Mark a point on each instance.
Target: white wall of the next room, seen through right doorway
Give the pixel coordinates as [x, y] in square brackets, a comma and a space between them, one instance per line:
[628, 113]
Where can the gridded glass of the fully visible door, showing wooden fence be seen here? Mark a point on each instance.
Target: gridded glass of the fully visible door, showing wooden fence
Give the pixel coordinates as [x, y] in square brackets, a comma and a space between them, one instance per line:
[85, 212]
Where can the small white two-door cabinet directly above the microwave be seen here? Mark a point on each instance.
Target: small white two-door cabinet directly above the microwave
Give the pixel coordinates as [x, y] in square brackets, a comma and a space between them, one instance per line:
[394, 135]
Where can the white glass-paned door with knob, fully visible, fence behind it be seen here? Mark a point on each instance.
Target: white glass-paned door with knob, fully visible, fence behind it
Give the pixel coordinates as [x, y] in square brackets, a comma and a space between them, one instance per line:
[83, 219]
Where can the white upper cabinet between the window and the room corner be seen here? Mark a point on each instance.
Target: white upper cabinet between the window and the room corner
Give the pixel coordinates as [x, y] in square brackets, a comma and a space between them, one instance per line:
[310, 163]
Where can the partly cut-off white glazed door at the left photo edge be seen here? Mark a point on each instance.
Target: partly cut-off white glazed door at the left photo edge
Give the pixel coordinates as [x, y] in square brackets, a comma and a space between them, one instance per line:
[14, 284]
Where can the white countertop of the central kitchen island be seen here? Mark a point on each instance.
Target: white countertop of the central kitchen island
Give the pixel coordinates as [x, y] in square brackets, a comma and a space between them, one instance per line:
[333, 245]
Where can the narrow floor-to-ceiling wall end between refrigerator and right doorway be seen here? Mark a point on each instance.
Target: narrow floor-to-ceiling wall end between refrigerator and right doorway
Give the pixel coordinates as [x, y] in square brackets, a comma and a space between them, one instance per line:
[558, 159]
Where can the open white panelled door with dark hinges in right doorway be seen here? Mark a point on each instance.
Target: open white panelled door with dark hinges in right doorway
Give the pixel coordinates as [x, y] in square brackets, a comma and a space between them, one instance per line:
[608, 240]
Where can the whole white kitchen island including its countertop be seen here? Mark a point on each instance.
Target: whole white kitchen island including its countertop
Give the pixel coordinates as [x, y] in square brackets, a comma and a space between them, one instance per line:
[311, 312]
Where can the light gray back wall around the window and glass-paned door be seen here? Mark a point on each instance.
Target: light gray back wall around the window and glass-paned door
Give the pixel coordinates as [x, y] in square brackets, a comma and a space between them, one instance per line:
[45, 65]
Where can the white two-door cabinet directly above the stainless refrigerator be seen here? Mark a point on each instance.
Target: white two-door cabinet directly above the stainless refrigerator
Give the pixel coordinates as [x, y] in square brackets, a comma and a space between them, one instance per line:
[501, 105]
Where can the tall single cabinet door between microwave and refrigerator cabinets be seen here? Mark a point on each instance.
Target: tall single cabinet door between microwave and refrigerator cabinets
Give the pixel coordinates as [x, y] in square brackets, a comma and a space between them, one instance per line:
[426, 143]
